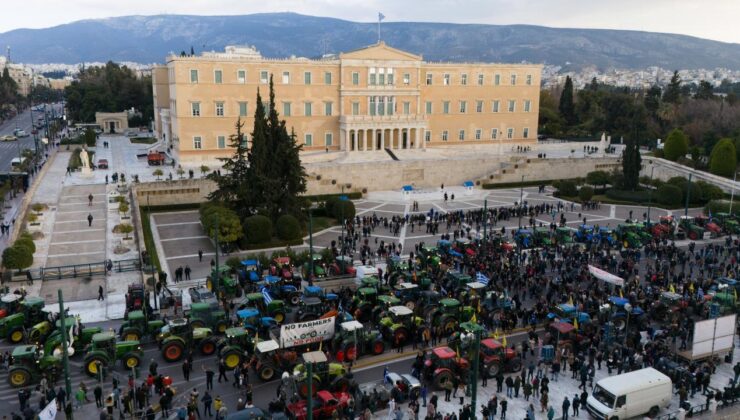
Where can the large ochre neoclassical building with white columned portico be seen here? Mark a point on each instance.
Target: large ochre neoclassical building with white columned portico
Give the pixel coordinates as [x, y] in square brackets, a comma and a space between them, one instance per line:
[369, 99]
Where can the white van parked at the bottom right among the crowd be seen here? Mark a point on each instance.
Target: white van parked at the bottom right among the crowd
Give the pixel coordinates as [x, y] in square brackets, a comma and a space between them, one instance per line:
[630, 394]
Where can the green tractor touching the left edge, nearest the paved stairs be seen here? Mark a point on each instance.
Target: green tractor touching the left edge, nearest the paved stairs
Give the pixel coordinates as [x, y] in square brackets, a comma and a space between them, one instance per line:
[32, 314]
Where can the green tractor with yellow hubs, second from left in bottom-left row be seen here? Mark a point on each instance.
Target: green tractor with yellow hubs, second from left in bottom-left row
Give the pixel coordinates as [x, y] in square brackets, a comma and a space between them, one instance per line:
[104, 351]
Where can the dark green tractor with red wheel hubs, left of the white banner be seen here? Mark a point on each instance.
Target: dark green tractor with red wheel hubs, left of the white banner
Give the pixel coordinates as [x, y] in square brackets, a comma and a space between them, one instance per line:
[179, 334]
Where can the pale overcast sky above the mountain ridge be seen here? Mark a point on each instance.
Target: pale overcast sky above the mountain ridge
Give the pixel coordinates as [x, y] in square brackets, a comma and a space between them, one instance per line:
[715, 19]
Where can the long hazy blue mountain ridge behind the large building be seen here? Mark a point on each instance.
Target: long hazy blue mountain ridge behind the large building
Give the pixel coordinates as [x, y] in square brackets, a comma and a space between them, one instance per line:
[148, 39]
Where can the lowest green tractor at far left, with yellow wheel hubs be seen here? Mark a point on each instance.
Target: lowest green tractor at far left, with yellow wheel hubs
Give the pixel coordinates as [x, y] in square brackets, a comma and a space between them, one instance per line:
[29, 365]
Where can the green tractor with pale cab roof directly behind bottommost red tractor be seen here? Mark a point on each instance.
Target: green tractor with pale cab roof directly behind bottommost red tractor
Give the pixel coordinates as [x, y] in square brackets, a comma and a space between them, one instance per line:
[325, 375]
